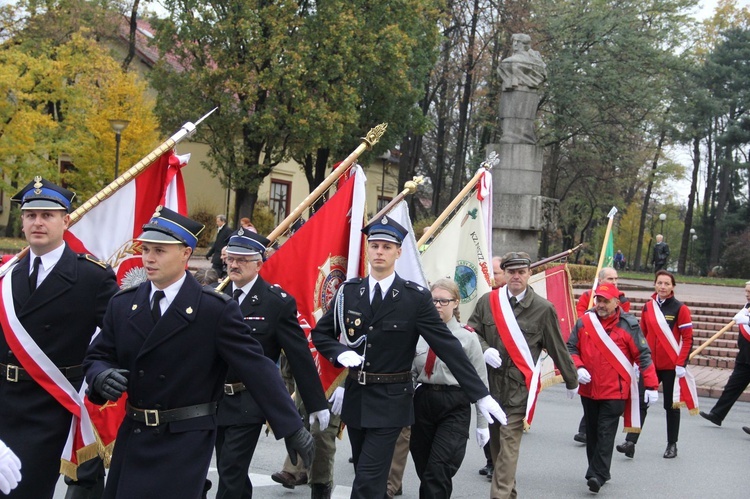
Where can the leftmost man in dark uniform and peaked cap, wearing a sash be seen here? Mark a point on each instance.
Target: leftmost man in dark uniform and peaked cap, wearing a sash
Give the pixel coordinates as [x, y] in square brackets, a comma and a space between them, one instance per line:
[59, 302]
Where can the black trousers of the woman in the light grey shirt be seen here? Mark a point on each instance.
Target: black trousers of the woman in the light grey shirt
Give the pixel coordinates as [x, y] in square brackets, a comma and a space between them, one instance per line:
[438, 439]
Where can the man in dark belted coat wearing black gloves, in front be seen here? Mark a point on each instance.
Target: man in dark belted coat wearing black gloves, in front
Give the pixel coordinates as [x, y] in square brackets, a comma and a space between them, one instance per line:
[168, 343]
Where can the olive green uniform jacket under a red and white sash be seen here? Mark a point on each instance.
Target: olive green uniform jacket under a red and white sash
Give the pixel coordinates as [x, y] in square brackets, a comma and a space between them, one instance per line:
[538, 320]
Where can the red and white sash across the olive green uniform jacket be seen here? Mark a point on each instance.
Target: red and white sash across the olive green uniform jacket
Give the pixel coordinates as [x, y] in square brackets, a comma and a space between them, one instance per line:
[518, 349]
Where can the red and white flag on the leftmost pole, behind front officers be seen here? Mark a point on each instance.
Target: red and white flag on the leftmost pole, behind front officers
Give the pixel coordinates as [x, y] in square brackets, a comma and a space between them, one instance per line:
[108, 231]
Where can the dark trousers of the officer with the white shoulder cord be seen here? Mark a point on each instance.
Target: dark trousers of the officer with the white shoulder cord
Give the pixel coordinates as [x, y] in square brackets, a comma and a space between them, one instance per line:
[372, 453]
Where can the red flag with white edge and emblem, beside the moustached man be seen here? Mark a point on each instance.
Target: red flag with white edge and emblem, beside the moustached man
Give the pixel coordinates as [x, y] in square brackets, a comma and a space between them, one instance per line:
[323, 253]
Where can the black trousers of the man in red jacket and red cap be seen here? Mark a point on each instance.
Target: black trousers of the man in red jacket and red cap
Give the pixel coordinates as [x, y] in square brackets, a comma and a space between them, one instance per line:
[602, 419]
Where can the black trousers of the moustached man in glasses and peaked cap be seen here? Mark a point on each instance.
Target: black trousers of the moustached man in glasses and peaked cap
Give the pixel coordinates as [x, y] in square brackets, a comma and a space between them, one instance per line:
[235, 446]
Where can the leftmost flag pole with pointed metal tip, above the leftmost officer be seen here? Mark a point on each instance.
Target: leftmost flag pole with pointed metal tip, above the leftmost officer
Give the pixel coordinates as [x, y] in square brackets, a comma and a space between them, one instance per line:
[187, 130]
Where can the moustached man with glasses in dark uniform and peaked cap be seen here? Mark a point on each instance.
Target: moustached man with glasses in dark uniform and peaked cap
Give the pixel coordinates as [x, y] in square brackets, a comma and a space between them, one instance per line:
[271, 314]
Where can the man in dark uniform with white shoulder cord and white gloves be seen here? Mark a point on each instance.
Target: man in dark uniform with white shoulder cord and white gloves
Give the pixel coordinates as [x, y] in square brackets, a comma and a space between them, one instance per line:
[380, 318]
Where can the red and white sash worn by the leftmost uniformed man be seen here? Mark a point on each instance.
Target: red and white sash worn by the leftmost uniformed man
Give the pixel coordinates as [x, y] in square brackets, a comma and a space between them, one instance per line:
[81, 444]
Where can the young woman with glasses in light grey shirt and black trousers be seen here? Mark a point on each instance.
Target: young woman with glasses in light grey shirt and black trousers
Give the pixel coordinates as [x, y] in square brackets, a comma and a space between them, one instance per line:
[442, 413]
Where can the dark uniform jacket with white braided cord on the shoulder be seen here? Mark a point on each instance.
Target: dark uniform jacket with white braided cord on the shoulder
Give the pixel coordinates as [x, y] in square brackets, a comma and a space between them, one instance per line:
[406, 314]
